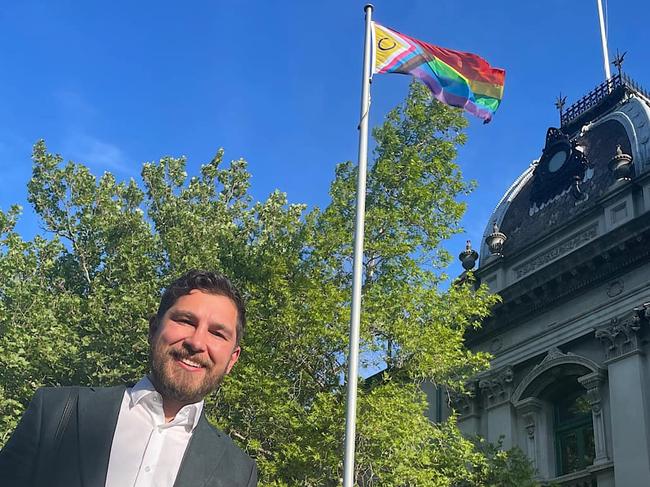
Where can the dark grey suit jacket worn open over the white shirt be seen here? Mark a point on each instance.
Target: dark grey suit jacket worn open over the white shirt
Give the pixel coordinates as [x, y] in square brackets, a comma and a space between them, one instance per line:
[81, 459]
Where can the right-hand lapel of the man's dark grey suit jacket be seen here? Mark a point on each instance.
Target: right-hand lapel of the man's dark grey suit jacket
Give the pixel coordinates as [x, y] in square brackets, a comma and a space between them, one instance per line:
[202, 456]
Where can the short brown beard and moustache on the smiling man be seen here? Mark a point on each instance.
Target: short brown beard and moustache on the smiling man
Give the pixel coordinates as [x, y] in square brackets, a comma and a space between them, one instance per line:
[172, 382]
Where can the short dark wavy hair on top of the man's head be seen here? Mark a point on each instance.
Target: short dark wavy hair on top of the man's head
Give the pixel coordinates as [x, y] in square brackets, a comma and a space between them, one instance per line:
[207, 282]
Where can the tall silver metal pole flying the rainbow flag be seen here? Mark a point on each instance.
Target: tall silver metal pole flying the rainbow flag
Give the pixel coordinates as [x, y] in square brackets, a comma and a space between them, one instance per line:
[355, 315]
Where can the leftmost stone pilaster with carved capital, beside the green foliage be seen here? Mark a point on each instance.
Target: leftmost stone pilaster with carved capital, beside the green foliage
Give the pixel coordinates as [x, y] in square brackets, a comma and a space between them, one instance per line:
[496, 388]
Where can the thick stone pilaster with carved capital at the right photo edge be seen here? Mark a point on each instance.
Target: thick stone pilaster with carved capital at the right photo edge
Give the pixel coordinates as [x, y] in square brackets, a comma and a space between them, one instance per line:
[627, 396]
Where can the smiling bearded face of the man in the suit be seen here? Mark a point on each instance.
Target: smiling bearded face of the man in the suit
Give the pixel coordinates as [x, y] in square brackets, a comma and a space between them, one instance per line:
[194, 346]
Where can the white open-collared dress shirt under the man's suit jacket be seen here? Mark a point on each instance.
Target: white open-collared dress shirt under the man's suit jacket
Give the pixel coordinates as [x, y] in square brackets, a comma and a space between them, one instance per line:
[146, 451]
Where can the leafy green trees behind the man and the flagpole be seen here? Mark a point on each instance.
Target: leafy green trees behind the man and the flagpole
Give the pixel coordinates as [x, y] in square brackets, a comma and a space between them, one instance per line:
[74, 301]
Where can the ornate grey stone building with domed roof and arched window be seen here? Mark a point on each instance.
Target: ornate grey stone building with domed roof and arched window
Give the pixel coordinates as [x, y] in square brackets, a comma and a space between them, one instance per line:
[568, 250]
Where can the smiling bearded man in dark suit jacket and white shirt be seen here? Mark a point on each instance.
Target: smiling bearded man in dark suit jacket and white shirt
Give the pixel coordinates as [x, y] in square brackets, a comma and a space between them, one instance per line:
[154, 433]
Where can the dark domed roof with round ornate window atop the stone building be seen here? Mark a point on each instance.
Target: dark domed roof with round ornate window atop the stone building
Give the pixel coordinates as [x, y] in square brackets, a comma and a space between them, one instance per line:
[573, 173]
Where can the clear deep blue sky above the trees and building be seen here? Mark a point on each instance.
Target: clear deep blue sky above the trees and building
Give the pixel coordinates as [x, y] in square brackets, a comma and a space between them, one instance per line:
[116, 84]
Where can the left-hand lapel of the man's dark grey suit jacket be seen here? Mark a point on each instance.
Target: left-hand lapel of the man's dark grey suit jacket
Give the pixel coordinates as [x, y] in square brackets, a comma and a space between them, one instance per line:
[97, 418]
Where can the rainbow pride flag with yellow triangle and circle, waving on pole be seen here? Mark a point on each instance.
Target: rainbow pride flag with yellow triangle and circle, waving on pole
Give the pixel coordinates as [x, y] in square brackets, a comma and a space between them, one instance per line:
[456, 78]
